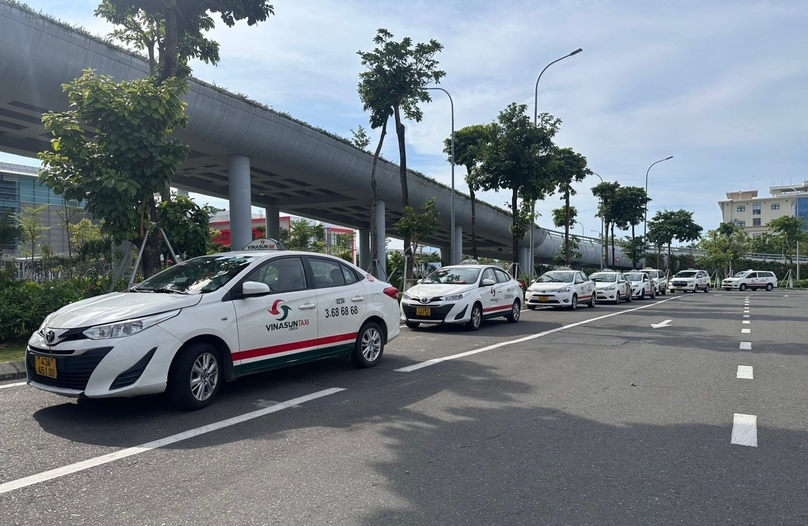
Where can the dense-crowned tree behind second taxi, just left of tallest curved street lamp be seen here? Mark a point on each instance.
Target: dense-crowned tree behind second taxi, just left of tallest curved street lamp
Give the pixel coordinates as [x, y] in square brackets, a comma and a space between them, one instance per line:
[517, 158]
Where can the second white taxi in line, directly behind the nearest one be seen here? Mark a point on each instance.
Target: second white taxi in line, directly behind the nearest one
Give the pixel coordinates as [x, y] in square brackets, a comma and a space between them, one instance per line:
[462, 294]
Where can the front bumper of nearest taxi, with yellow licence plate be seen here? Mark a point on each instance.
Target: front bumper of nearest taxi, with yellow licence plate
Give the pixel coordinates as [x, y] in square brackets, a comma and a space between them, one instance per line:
[120, 367]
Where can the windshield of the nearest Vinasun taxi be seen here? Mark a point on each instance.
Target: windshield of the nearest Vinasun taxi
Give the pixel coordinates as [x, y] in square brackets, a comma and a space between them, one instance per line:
[196, 276]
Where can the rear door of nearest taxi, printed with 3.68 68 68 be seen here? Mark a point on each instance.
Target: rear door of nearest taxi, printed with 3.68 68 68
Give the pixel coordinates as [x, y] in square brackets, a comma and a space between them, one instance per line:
[342, 301]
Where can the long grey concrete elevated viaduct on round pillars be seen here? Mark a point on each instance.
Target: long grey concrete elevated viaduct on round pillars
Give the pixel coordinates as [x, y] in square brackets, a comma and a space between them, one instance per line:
[243, 151]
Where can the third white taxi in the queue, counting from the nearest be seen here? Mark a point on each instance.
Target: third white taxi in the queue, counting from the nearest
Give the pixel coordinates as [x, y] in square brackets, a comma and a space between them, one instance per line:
[561, 288]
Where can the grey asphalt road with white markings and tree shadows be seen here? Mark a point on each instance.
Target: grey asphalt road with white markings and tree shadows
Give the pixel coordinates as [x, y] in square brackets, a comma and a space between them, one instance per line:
[567, 417]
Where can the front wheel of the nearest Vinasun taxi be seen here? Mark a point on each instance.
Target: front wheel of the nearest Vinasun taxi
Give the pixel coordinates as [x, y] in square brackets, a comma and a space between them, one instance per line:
[195, 376]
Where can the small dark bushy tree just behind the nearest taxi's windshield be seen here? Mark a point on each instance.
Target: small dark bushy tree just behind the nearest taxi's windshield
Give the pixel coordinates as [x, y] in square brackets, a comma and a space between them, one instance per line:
[186, 226]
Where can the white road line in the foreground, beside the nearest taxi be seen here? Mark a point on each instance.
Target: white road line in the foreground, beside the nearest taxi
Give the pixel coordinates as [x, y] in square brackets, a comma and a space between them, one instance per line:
[173, 439]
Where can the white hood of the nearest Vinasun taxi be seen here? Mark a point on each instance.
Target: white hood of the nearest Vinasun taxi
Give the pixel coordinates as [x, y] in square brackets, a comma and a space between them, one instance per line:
[118, 306]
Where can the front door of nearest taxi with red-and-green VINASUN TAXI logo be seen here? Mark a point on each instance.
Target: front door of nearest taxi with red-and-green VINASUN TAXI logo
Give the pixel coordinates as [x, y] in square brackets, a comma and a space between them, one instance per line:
[279, 327]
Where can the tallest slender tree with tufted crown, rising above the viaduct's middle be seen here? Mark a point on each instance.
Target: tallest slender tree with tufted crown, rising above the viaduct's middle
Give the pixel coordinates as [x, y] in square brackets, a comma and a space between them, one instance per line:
[396, 78]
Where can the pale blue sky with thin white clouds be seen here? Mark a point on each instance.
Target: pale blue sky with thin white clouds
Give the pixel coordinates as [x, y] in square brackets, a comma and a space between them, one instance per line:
[718, 85]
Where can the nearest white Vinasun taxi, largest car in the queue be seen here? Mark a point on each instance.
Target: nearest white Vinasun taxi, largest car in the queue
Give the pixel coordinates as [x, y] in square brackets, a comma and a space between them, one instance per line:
[211, 319]
